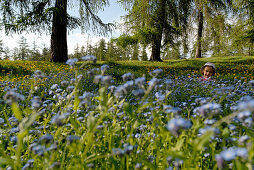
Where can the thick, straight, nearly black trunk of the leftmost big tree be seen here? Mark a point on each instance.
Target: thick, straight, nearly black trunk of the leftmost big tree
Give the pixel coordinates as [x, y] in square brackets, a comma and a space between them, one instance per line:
[59, 50]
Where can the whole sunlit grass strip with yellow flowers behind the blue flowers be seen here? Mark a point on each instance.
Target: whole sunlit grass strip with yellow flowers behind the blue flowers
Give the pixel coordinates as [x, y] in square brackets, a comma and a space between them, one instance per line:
[227, 67]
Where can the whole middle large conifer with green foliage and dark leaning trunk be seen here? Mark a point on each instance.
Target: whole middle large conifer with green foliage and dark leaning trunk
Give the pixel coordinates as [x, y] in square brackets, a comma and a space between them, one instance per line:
[157, 22]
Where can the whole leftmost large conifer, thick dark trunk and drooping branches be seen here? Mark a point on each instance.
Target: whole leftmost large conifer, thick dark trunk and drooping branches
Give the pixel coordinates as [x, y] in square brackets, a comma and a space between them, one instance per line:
[51, 16]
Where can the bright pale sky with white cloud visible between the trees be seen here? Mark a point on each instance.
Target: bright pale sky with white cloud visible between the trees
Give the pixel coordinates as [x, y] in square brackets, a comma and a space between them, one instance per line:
[110, 14]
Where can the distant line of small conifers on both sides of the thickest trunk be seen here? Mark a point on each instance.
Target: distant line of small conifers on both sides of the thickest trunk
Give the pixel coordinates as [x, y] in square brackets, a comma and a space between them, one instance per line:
[104, 51]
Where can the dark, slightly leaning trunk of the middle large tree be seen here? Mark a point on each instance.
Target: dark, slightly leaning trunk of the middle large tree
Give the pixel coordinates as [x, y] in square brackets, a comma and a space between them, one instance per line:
[157, 37]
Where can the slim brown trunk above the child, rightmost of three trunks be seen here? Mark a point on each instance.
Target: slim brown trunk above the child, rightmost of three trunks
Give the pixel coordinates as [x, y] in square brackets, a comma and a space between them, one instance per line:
[200, 30]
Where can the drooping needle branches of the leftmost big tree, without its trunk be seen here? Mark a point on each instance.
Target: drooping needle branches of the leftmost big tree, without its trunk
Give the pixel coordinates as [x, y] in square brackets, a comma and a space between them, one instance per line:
[36, 16]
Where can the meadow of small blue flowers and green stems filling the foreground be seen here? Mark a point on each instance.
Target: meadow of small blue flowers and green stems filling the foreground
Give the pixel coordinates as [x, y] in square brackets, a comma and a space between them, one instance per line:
[89, 116]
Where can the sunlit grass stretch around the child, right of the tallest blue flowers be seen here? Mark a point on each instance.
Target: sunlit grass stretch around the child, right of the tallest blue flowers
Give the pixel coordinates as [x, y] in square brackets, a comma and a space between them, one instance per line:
[227, 67]
